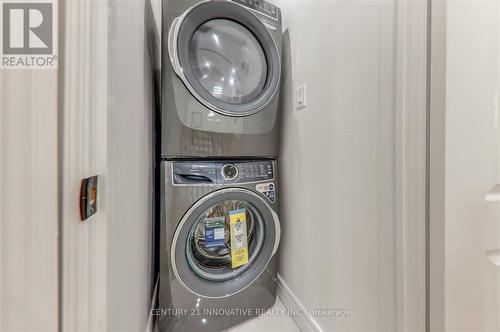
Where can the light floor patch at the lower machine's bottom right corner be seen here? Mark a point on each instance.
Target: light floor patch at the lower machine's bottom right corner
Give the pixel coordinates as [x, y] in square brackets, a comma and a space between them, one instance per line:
[276, 320]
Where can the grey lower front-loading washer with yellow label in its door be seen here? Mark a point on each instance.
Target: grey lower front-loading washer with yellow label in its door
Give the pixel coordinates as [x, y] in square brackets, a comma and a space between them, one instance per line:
[199, 288]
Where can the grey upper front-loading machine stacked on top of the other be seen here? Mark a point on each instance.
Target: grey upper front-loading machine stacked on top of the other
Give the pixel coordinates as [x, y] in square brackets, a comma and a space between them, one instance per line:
[221, 71]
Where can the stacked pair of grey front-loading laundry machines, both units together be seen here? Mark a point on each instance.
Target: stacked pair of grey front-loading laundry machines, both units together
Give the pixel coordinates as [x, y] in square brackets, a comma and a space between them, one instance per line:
[220, 229]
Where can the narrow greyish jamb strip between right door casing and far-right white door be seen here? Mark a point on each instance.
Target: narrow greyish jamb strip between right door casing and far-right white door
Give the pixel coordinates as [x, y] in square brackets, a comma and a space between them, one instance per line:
[436, 162]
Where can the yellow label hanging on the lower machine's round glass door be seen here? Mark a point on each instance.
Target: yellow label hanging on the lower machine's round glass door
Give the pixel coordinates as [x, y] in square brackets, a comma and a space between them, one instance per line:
[239, 245]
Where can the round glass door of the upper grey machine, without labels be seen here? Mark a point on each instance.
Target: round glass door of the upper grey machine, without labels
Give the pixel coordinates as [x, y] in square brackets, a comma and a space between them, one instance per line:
[226, 57]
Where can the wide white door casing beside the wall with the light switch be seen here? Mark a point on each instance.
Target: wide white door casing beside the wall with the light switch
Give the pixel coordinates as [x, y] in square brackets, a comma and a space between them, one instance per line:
[411, 157]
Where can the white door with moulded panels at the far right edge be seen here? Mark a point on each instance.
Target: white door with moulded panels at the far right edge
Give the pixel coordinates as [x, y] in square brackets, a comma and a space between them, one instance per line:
[472, 226]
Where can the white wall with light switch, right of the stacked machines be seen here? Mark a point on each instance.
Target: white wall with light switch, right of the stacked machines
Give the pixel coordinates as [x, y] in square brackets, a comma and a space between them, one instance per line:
[338, 161]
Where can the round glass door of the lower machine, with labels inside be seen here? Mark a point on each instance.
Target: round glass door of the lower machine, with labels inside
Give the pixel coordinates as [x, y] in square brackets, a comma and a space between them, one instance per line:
[206, 270]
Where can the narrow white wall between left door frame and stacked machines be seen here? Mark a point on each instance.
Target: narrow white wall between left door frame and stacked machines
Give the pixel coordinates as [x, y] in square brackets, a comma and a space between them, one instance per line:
[129, 178]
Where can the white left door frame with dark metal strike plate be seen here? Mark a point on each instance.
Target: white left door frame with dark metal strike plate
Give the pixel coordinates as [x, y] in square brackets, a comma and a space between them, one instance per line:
[83, 107]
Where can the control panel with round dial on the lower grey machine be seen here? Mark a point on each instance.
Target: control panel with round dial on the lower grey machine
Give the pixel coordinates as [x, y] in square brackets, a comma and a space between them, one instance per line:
[221, 172]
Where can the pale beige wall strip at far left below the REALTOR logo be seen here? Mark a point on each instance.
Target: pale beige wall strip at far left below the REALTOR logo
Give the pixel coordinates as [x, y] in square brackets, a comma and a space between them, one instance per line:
[28, 200]
